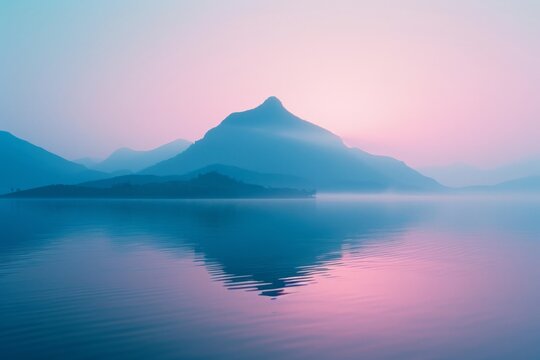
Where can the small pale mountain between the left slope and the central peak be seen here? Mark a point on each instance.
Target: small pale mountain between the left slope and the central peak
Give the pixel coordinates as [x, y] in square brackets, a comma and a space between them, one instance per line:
[128, 160]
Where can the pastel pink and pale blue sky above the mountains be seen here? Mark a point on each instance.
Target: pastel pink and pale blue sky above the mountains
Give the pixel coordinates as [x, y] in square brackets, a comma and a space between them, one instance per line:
[430, 82]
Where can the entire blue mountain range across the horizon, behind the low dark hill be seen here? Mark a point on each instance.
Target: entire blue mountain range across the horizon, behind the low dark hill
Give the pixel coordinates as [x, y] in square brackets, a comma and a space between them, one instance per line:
[266, 146]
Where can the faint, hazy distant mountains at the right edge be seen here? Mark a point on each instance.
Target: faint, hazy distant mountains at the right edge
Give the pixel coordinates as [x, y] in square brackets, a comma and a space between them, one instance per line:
[461, 175]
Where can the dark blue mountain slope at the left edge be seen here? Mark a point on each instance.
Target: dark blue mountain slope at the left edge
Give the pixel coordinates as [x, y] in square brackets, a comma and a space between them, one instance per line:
[24, 165]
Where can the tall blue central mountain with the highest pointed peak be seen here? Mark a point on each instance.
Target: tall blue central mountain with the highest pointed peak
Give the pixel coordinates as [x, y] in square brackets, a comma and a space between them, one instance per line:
[271, 140]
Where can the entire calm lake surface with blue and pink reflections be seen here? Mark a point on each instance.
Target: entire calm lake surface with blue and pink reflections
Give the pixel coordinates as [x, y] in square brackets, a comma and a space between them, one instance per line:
[332, 278]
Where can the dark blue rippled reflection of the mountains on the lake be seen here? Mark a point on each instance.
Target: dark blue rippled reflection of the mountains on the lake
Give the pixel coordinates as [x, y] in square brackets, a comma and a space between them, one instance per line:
[265, 246]
